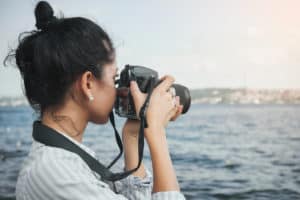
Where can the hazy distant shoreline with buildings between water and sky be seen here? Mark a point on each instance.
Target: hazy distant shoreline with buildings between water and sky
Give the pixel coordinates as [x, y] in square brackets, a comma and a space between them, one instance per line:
[214, 96]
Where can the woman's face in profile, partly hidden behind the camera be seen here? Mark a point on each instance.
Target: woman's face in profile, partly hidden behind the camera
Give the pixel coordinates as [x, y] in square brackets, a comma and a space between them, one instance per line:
[104, 94]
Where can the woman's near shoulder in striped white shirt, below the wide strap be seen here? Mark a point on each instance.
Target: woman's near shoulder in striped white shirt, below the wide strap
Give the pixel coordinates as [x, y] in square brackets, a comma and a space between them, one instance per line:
[57, 173]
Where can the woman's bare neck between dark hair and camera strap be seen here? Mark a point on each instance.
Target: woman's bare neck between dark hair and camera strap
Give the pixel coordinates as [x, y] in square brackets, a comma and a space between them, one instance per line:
[69, 120]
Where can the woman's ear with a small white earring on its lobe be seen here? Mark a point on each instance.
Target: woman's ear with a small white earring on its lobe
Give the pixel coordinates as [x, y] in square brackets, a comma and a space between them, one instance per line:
[87, 83]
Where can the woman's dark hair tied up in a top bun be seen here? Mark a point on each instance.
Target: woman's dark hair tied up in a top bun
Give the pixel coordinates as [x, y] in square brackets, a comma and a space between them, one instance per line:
[52, 57]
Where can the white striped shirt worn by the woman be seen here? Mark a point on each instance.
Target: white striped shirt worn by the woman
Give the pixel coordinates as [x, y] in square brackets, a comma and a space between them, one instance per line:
[55, 173]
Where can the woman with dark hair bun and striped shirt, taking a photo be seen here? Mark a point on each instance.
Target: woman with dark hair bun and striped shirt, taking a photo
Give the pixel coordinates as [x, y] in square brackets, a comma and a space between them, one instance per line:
[68, 68]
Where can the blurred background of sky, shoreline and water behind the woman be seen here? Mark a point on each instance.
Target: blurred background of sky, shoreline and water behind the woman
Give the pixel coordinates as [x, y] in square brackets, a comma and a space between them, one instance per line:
[241, 60]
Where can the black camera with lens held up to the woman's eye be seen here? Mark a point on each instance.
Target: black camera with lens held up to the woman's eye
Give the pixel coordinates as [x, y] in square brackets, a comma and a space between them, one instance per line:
[146, 79]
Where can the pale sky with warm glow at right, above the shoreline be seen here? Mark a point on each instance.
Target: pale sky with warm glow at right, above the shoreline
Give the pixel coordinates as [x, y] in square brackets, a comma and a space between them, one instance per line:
[207, 43]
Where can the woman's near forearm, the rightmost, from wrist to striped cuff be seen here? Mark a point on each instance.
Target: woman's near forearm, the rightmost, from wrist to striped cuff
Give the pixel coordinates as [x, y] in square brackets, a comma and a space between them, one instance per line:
[163, 171]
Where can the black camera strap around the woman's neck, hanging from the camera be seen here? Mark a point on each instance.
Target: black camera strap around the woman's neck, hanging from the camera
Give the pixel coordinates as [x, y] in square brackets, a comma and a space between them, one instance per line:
[50, 137]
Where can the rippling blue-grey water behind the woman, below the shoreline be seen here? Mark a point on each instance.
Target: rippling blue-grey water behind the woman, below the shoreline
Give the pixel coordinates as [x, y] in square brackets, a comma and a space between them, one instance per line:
[219, 151]
